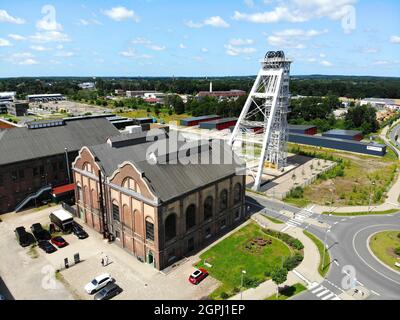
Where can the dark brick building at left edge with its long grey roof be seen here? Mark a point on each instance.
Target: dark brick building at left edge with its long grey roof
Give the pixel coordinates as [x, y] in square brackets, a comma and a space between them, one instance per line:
[33, 159]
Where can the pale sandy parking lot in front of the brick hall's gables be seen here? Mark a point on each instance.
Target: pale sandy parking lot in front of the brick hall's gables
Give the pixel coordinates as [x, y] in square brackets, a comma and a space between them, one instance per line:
[37, 269]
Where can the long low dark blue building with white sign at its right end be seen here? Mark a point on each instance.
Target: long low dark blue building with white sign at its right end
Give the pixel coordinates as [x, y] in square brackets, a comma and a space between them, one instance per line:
[339, 144]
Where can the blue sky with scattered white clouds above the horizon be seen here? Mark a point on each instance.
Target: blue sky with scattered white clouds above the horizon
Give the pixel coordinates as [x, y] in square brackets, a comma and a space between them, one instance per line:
[197, 38]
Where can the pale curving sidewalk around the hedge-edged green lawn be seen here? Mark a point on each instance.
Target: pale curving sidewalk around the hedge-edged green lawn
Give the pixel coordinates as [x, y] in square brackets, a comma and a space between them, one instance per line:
[306, 273]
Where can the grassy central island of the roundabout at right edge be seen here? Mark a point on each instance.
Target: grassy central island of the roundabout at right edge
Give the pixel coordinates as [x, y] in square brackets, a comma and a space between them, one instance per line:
[383, 245]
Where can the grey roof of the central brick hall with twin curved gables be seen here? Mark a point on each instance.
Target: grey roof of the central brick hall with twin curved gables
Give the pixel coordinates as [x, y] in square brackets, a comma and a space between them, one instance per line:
[168, 179]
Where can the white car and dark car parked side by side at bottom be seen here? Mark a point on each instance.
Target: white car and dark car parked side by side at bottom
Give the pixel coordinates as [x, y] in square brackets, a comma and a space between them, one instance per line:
[104, 287]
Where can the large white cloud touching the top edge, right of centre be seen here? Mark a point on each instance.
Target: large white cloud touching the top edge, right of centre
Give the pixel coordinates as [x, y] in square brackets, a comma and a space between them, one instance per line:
[299, 11]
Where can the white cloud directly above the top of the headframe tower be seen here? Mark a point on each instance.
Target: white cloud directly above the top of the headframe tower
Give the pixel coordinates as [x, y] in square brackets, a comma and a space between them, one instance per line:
[293, 38]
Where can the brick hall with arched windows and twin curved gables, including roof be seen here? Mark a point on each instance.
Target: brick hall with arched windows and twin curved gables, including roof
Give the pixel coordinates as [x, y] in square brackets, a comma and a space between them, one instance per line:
[163, 211]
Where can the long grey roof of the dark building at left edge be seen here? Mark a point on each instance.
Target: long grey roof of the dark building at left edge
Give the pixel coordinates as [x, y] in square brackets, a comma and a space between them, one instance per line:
[20, 144]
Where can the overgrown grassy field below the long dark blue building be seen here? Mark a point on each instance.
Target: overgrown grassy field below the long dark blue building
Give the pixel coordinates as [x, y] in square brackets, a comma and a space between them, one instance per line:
[355, 187]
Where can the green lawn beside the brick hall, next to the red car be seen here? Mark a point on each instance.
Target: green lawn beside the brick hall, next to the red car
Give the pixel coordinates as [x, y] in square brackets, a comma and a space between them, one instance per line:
[235, 253]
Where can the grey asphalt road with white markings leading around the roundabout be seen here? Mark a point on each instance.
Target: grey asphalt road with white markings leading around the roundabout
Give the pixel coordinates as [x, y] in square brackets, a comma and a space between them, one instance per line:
[347, 243]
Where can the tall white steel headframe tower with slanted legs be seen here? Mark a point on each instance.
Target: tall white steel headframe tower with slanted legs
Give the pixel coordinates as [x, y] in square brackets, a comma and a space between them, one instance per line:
[265, 112]
